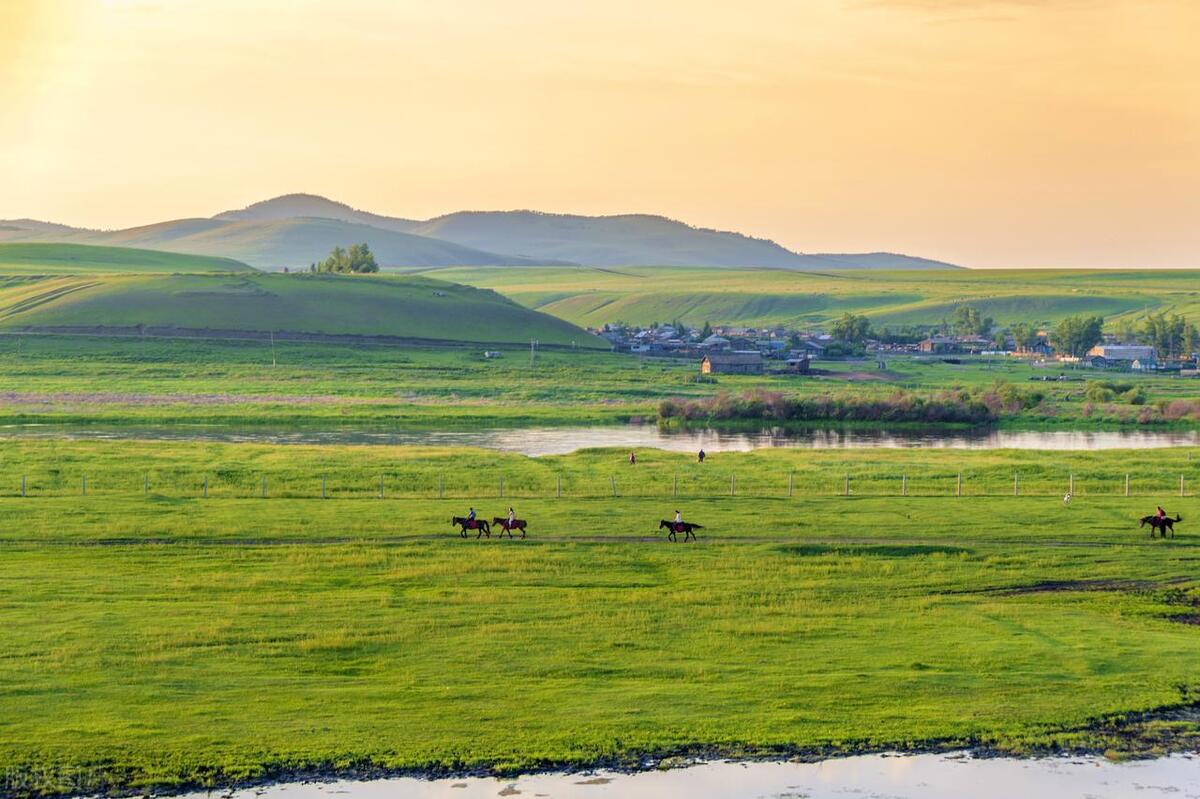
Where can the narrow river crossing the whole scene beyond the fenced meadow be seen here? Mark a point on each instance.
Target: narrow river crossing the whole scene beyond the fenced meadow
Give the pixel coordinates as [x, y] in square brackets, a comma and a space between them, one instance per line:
[561, 441]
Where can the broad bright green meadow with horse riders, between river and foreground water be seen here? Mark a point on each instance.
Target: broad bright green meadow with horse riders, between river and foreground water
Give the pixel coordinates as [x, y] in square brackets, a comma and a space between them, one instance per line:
[171, 641]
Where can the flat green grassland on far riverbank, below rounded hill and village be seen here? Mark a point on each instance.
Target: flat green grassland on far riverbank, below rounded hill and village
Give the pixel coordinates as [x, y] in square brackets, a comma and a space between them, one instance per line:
[117, 381]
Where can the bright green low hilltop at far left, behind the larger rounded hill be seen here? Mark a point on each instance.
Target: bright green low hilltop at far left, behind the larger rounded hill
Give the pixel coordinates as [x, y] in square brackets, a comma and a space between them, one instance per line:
[79, 260]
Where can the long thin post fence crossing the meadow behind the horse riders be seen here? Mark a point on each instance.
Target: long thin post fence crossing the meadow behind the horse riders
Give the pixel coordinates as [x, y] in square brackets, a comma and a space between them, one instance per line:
[643, 483]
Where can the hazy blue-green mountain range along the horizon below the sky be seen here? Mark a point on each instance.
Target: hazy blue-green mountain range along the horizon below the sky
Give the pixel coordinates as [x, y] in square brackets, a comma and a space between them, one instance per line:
[297, 230]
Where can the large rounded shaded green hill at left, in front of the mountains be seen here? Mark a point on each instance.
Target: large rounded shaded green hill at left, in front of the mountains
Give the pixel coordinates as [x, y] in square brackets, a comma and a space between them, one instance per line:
[412, 308]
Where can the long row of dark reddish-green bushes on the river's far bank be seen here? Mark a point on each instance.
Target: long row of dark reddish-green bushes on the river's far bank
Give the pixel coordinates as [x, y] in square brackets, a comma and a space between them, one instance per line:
[947, 407]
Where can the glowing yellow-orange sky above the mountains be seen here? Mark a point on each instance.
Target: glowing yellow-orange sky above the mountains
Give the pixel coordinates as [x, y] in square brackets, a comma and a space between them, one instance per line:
[983, 133]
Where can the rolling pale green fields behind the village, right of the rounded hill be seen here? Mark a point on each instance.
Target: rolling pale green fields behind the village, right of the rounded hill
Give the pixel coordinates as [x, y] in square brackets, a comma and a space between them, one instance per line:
[758, 297]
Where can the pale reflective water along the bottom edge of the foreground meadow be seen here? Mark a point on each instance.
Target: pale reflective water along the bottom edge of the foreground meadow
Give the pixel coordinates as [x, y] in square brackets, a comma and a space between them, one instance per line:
[878, 777]
